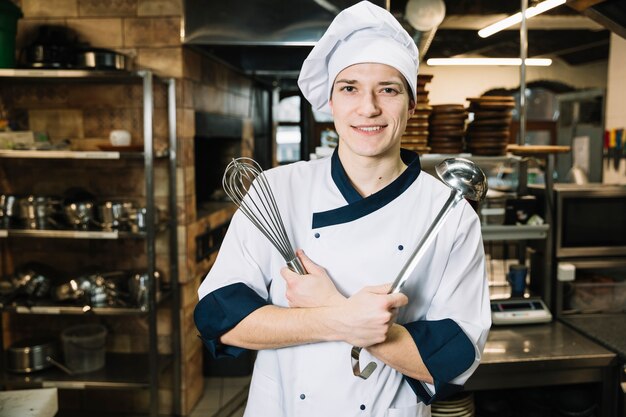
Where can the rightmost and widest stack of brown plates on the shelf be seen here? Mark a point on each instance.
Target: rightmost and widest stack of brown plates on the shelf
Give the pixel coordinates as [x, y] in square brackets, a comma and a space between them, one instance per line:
[488, 133]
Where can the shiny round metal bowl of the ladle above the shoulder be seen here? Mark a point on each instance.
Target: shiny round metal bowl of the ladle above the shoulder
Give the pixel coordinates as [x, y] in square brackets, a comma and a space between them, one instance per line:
[463, 176]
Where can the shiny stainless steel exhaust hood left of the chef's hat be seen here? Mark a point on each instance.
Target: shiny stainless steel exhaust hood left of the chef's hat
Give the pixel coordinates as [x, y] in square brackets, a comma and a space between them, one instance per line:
[265, 38]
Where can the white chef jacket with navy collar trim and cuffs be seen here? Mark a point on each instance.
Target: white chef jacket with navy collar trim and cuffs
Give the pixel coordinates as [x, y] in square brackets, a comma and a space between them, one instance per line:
[360, 242]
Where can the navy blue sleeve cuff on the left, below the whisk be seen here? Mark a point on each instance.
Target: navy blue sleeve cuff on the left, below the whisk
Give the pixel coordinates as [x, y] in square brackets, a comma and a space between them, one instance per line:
[220, 311]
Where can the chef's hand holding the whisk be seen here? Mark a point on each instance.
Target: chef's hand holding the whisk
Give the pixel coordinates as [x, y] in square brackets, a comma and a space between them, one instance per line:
[316, 289]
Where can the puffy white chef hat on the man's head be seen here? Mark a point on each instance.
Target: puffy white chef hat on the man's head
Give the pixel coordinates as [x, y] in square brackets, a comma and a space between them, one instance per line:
[359, 34]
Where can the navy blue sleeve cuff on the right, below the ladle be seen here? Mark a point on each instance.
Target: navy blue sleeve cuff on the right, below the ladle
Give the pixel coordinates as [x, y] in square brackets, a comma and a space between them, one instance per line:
[446, 351]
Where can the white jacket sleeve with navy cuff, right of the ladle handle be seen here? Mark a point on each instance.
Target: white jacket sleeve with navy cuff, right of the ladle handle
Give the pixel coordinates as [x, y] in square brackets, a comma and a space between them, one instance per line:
[451, 338]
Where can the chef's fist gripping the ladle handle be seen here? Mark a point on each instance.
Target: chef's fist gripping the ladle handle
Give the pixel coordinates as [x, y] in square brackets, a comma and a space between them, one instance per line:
[365, 318]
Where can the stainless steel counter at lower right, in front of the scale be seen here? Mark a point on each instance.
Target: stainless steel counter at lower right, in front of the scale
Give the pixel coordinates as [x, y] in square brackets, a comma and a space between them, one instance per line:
[545, 355]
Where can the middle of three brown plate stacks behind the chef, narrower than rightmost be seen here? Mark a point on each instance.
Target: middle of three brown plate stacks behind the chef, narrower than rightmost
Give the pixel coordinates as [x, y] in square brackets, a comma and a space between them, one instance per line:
[447, 127]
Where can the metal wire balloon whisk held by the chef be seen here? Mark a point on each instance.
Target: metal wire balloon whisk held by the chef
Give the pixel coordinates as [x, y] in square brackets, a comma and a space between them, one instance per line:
[245, 184]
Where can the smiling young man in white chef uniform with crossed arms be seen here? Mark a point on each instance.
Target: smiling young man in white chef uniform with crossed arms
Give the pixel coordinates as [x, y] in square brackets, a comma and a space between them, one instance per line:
[356, 218]
